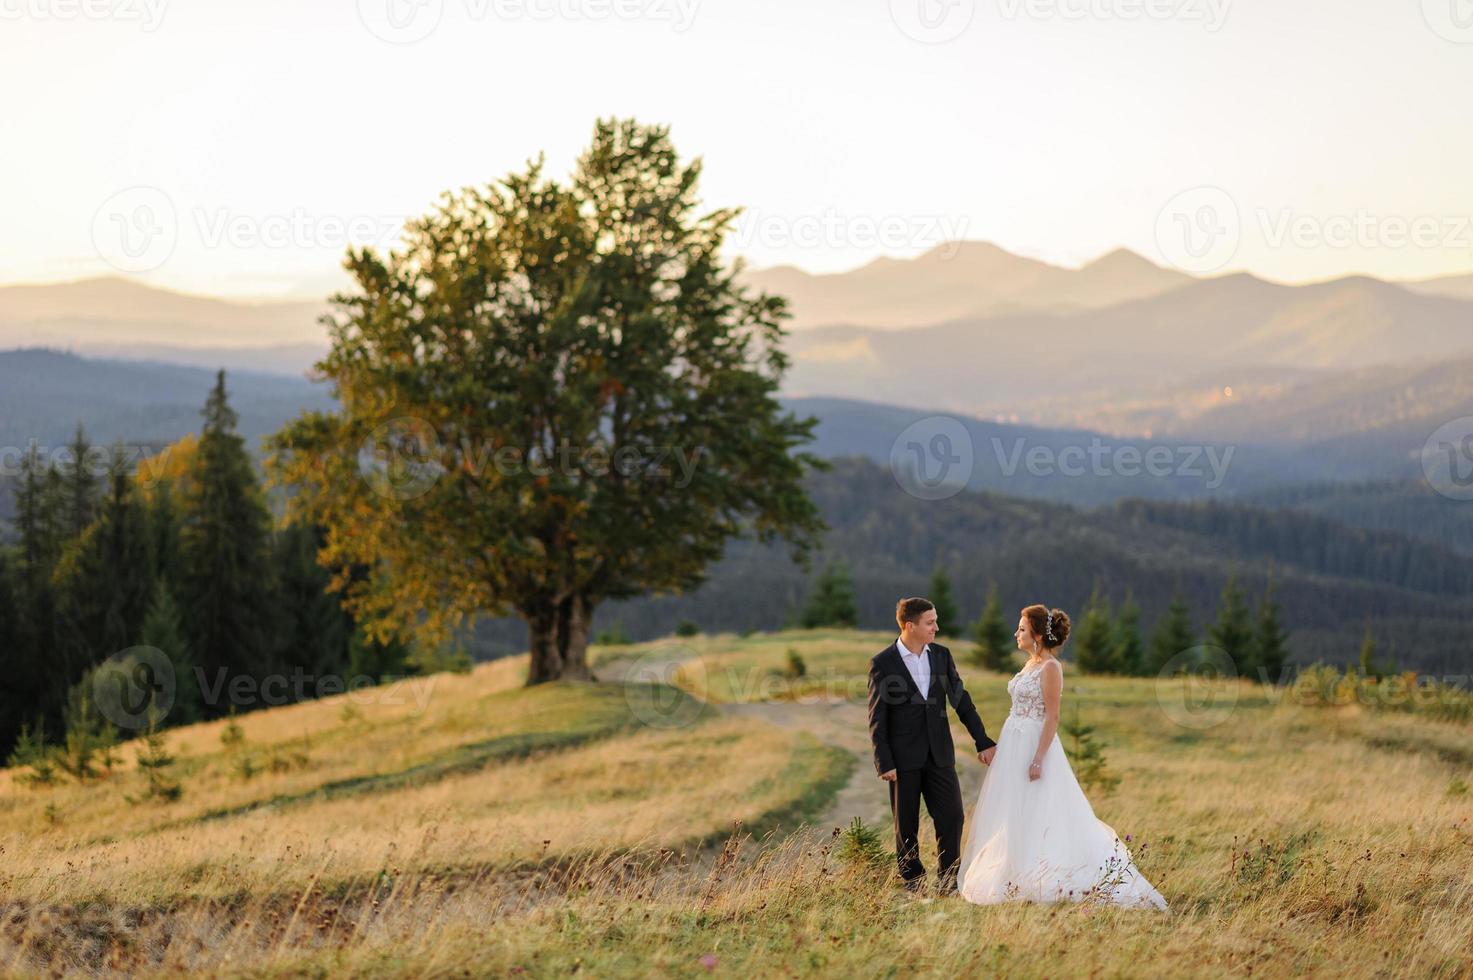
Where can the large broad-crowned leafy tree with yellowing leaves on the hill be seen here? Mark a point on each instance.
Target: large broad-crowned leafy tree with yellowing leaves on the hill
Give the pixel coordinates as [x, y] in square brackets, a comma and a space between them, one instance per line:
[553, 394]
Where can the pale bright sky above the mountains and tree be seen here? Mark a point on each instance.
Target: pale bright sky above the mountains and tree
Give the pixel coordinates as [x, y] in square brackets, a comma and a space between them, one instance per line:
[238, 145]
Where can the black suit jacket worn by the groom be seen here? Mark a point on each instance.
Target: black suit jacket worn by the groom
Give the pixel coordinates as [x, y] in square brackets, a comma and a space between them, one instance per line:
[905, 724]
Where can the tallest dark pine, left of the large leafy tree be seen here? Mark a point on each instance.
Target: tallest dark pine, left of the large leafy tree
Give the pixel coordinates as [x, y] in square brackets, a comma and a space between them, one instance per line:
[226, 552]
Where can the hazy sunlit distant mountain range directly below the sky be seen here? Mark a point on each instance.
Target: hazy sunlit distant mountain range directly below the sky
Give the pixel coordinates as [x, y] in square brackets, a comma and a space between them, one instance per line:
[1120, 347]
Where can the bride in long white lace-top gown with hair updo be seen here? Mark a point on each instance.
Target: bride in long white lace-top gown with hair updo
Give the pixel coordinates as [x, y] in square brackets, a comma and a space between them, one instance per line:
[1035, 836]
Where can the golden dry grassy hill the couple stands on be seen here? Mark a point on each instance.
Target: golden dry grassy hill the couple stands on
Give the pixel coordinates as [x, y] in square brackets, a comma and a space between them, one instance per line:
[555, 830]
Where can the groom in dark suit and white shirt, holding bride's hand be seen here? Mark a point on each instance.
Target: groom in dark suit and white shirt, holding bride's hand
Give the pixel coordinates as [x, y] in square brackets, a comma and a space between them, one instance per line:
[910, 685]
